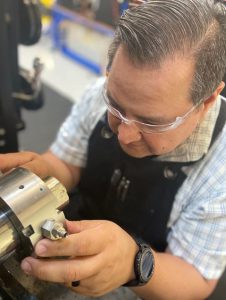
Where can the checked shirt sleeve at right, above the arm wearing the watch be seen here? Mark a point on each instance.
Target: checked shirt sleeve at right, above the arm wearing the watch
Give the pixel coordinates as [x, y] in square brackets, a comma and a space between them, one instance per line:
[198, 234]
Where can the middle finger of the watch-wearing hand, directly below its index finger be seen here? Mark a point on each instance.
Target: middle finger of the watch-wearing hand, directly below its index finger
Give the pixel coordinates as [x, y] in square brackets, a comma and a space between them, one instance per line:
[62, 271]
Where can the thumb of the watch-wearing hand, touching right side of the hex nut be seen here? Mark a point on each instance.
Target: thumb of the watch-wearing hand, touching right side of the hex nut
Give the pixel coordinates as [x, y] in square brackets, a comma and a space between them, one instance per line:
[79, 226]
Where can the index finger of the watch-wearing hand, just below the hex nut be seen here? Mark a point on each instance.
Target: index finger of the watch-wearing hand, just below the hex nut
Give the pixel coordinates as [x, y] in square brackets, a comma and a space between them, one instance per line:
[85, 243]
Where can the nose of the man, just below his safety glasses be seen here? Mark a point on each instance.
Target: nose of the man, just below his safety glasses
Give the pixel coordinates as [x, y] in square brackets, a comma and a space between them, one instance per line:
[128, 133]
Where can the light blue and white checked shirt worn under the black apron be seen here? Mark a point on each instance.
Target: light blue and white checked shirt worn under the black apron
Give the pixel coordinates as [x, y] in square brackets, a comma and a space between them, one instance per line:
[198, 217]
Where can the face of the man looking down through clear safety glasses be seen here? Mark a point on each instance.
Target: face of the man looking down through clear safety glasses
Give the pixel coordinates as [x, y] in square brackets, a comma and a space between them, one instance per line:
[157, 95]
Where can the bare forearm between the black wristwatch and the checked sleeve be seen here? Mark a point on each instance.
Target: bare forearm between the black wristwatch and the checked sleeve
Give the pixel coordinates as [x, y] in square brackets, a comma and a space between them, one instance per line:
[175, 279]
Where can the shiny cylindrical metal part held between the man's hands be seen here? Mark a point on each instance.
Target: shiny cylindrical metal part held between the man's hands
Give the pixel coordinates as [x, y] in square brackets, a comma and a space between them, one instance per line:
[32, 201]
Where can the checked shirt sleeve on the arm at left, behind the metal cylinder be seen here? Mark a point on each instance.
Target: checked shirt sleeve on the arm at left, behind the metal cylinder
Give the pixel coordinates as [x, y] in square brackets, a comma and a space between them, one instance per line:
[72, 139]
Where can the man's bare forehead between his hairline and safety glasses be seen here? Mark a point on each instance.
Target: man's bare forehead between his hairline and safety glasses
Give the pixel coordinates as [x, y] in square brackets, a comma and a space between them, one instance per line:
[170, 83]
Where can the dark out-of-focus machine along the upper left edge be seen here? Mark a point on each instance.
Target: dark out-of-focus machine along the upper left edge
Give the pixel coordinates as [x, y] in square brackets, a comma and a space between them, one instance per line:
[20, 23]
